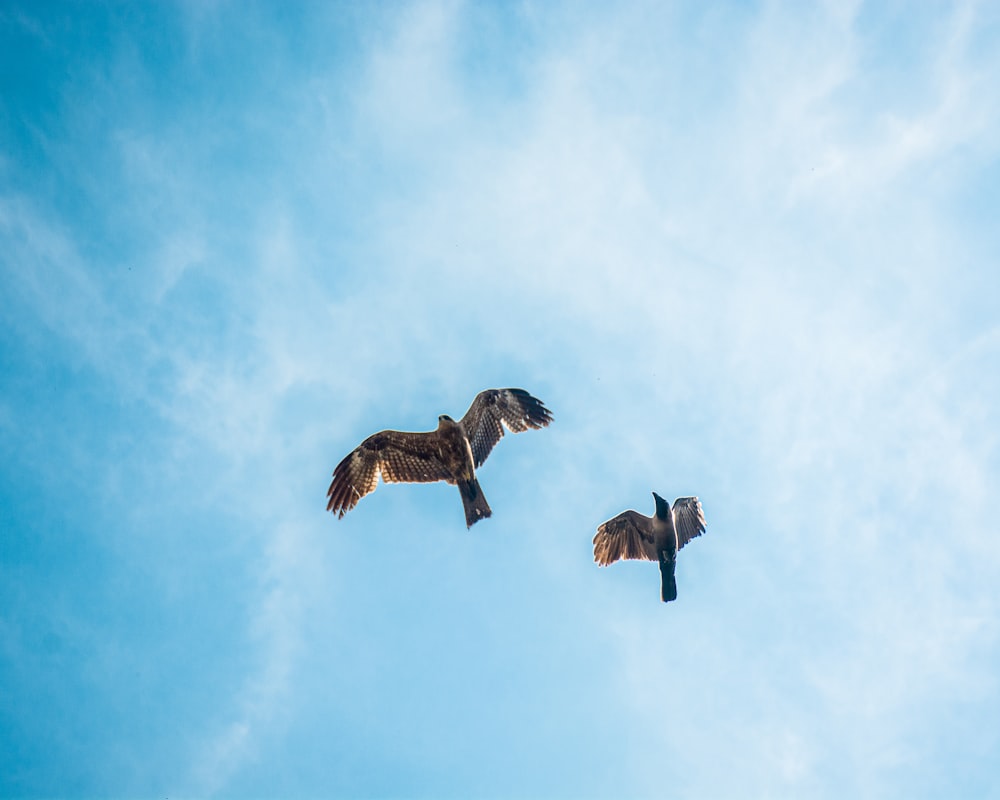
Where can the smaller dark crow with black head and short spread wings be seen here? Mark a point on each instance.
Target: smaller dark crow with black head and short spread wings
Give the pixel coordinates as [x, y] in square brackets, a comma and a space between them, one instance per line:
[656, 538]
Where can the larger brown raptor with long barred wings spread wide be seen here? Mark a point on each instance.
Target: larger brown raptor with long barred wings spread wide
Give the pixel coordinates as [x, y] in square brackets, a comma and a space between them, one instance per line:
[452, 453]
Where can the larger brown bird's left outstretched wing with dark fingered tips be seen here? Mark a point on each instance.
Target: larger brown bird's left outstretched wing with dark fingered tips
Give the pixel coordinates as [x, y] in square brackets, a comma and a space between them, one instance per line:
[398, 456]
